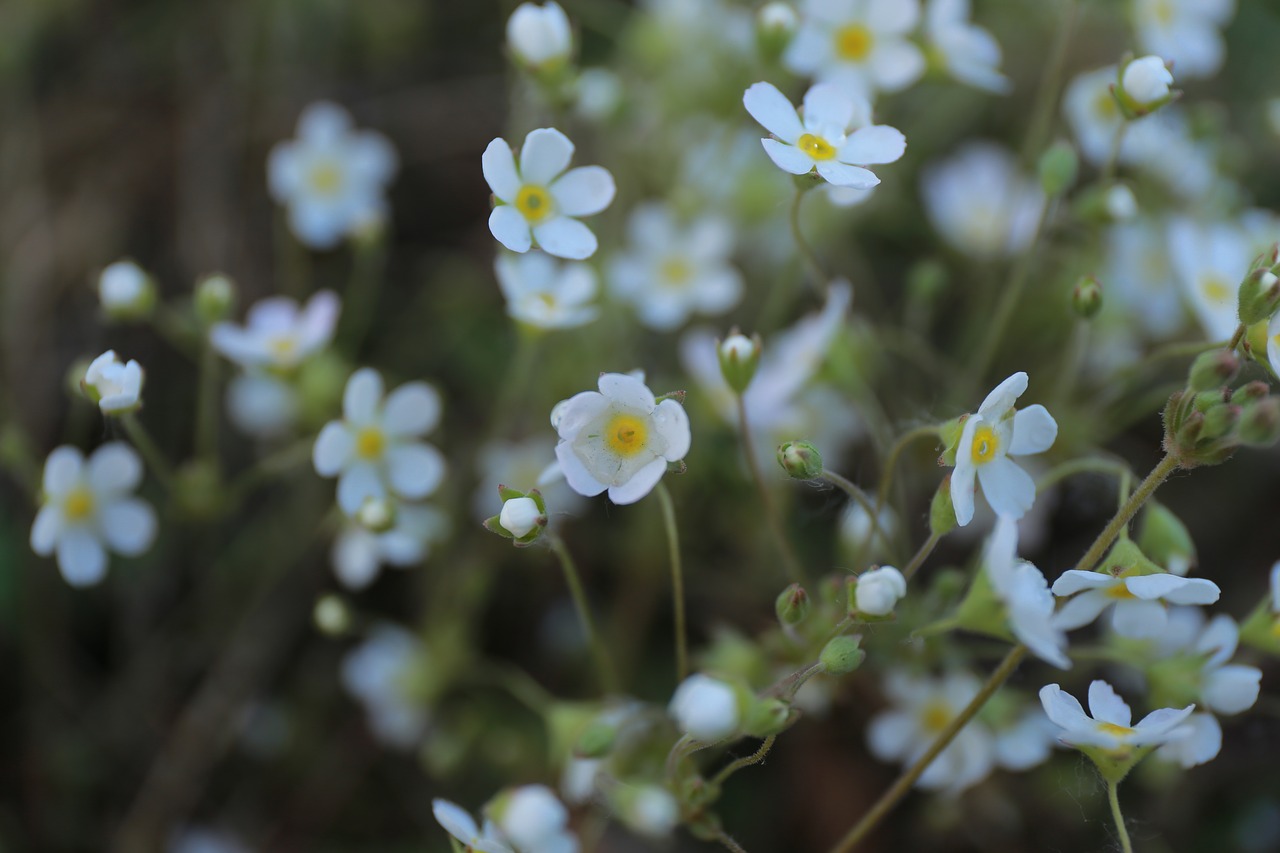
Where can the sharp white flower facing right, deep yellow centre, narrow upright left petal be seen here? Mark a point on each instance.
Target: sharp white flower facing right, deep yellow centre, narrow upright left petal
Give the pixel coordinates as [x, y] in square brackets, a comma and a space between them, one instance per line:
[990, 437]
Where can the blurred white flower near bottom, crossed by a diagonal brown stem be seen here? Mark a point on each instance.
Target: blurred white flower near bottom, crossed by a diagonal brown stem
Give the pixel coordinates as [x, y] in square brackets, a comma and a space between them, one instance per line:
[922, 711]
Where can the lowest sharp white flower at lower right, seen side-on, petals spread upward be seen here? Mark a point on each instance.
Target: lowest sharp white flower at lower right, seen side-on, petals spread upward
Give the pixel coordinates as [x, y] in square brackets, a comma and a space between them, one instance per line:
[1109, 727]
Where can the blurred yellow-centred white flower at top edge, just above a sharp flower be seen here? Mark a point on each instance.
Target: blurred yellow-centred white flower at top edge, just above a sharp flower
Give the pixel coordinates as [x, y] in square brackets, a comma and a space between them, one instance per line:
[861, 45]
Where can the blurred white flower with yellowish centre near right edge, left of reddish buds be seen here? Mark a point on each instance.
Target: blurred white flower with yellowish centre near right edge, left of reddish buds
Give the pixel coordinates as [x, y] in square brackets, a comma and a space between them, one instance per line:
[1212, 261]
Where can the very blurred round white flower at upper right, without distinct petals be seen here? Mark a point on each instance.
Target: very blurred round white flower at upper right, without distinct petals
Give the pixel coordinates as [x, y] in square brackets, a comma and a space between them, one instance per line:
[981, 204]
